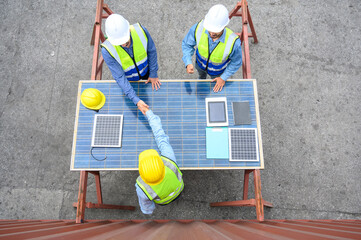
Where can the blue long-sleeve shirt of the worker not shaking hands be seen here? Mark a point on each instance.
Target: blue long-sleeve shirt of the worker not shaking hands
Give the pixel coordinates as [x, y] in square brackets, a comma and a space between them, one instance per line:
[189, 42]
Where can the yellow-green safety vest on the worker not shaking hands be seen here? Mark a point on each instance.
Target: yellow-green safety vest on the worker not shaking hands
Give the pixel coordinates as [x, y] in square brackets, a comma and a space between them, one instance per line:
[216, 61]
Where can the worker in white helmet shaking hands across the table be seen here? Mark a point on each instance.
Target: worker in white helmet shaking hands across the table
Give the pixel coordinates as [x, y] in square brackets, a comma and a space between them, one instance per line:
[130, 54]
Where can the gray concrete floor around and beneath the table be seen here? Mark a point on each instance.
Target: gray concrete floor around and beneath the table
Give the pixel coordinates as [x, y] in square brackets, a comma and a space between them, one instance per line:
[307, 64]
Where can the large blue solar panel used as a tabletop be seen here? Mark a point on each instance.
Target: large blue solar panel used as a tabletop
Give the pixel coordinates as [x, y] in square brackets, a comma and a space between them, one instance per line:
[181, 107]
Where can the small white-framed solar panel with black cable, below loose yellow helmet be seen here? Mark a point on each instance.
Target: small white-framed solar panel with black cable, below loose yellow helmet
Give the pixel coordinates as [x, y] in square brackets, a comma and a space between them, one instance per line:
[107, 130]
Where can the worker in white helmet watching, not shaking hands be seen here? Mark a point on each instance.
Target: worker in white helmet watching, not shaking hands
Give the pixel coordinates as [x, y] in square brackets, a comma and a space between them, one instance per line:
[218, 49]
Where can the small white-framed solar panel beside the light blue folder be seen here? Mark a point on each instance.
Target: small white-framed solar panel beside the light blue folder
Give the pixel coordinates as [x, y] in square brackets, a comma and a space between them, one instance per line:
[243, 144]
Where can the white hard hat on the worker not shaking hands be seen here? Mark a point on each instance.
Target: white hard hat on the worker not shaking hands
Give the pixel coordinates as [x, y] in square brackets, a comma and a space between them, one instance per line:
[216, 19]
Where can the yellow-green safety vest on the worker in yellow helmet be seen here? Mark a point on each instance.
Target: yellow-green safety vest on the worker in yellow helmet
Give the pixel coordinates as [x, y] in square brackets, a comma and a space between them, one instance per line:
[169, 189]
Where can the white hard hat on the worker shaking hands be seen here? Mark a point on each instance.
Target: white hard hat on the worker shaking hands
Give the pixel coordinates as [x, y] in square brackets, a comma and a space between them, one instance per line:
[117, 29]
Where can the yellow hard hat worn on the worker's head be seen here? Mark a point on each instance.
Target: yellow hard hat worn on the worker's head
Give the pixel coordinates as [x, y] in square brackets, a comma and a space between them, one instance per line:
[151, 167]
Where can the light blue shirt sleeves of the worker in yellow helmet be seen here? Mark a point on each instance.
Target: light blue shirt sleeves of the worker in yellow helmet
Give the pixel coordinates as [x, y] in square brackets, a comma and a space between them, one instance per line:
[166, 150]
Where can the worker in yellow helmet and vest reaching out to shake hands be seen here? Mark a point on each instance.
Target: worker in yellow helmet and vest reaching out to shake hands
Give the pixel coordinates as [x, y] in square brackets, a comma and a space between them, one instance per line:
[160, 181]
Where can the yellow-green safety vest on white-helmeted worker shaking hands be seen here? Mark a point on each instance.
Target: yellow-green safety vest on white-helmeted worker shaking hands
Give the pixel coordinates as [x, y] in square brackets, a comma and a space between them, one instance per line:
[139, 64]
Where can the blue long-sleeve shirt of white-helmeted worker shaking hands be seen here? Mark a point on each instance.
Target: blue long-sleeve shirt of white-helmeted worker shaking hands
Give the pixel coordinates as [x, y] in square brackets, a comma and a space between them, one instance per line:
[118, 72]
